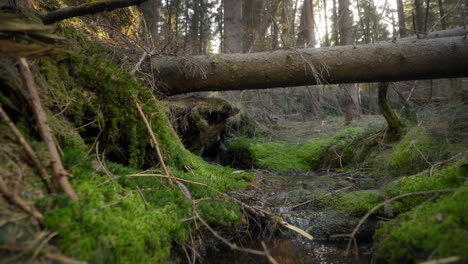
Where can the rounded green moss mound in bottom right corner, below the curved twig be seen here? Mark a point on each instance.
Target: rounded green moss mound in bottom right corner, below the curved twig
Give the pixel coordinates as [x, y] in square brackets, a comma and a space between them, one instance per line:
[438, 229]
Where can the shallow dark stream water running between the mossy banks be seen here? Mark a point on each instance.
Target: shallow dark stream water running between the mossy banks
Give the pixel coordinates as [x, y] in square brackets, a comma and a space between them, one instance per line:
[297, 199]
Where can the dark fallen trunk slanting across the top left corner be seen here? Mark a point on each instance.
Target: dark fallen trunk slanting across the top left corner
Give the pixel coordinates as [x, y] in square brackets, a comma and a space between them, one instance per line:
[93, 7]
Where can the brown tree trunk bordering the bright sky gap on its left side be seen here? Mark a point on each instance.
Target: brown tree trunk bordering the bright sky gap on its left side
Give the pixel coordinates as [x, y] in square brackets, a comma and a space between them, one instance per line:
[306, 35]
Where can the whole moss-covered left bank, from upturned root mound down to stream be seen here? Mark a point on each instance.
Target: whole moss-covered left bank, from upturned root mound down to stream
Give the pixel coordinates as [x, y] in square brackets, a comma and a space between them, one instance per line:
[91, 99]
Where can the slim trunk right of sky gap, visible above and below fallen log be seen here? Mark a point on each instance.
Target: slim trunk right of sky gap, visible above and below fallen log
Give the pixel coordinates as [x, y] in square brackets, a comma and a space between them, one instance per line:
[351, 105]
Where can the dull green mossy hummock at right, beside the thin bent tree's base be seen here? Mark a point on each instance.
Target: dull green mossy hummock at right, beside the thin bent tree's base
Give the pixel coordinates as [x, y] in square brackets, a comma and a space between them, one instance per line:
[417, 146]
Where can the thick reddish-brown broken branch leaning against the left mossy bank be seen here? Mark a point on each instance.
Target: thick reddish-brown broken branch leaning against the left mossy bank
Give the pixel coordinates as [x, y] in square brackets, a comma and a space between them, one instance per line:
[39, 114]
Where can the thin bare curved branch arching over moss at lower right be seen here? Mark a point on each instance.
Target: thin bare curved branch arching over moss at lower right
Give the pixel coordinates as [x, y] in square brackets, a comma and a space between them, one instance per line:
[352, 235]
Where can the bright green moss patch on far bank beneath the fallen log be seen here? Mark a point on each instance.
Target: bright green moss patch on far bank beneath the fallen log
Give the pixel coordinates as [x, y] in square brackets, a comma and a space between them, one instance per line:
[283, 157]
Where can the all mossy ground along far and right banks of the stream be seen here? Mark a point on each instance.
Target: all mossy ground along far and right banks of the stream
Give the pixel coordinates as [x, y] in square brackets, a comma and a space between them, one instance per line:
[432, 225]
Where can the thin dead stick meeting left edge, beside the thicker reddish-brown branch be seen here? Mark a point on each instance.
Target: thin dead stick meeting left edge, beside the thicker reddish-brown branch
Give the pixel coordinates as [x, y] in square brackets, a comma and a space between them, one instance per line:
[28, 149]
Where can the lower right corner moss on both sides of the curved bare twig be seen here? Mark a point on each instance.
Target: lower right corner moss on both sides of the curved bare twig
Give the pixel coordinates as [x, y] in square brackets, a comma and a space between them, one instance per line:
[427, 225]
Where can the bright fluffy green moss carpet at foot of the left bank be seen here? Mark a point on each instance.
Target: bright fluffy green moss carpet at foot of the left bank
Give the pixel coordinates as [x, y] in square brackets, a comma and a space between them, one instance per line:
[115, 223]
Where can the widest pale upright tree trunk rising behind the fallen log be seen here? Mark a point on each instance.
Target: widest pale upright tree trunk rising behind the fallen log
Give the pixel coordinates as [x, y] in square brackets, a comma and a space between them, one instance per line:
[232, 26]
